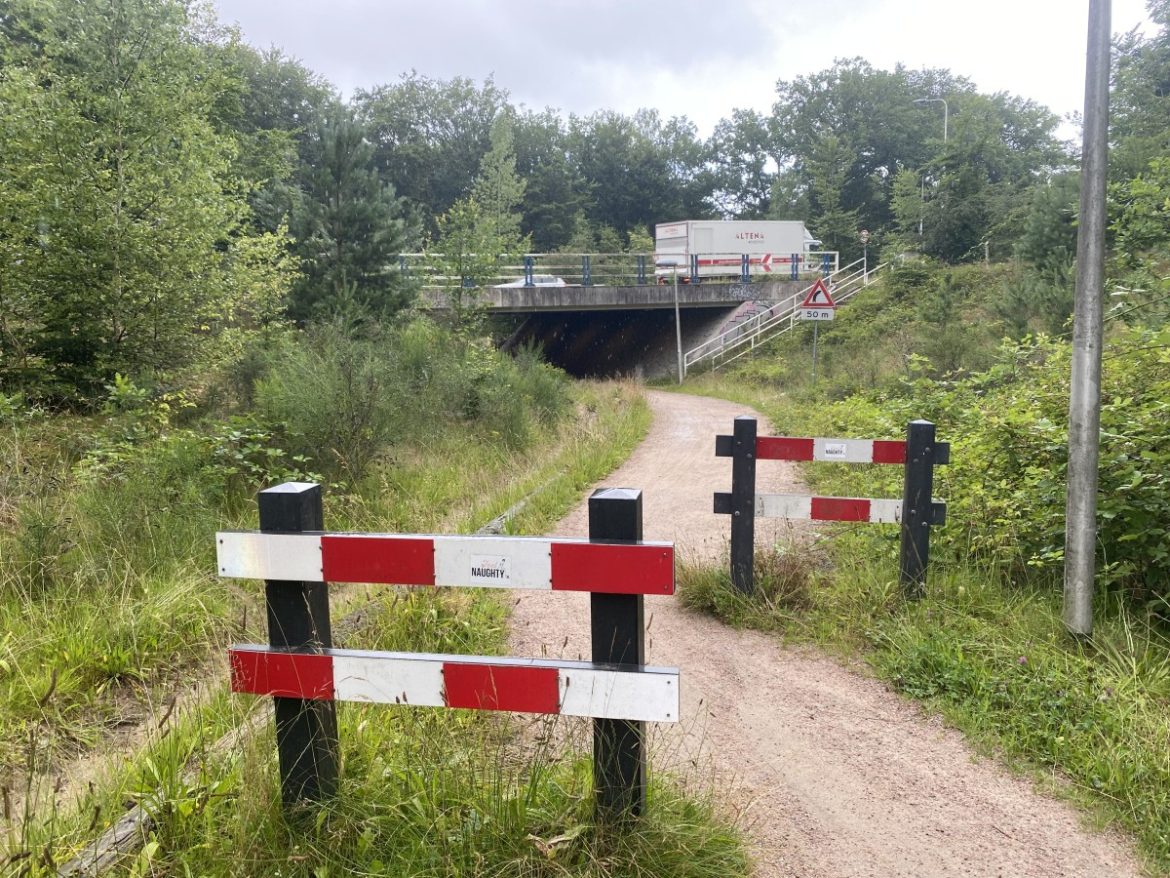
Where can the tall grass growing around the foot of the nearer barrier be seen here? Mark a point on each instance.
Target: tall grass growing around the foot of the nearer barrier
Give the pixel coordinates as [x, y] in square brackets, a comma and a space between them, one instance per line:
[426, 792]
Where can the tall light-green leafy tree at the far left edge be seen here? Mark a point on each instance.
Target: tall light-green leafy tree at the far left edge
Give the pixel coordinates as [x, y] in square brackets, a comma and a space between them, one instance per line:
[143, 245]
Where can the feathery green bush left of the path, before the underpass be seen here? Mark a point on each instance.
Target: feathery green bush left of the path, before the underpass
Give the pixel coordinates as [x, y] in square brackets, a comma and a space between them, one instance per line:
[343, 401]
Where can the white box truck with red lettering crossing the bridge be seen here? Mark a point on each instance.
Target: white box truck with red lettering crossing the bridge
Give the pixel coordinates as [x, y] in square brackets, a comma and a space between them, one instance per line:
[717, 249]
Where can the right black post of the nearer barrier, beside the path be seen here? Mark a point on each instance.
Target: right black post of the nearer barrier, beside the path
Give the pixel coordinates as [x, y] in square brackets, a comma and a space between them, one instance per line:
[618, 635]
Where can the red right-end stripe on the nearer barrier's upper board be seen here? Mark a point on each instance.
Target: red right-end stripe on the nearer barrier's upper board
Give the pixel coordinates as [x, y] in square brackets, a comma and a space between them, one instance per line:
[614, 568]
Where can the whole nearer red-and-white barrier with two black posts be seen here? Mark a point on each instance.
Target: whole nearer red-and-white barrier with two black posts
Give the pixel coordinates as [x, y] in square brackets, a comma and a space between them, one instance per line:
[306, 676]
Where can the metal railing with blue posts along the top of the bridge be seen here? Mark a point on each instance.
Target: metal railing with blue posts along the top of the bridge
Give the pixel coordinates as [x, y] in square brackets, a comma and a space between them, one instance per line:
[624, 270]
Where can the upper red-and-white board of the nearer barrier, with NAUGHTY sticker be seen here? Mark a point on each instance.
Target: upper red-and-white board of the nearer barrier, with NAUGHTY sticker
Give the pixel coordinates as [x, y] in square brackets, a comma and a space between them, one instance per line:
[505, 563]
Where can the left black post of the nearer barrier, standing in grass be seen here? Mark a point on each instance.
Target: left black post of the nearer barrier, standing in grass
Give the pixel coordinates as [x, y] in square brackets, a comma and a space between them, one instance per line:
[299, 619]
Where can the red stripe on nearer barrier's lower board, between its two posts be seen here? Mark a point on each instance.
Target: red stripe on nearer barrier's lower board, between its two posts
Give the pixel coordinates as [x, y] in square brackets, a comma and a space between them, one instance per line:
[503, 688]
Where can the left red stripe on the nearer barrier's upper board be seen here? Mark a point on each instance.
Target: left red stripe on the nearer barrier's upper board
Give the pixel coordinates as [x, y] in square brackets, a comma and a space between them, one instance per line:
[393, 561]
